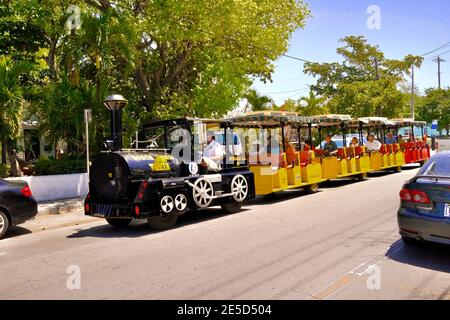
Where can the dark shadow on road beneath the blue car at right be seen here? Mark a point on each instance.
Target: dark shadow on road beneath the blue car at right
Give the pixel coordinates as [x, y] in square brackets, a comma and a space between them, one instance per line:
[429, 256]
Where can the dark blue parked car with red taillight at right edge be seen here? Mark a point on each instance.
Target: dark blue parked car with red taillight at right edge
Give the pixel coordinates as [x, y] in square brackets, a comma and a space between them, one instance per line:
[424, 212]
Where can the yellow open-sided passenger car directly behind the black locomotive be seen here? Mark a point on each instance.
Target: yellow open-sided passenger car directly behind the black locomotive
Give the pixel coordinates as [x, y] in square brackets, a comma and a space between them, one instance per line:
[275, 154]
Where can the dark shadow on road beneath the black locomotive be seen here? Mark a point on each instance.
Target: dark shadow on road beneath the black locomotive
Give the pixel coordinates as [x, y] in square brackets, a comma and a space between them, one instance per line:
[140, 228]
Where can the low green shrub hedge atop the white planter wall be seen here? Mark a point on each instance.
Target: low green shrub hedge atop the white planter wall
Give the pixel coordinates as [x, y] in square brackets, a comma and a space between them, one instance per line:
[44, 167]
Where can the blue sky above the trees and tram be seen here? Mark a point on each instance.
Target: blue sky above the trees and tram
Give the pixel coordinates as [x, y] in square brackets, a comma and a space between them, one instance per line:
[405, 27]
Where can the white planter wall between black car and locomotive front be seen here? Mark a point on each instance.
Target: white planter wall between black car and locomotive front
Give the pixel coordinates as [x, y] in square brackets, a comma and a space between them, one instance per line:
[56, 187]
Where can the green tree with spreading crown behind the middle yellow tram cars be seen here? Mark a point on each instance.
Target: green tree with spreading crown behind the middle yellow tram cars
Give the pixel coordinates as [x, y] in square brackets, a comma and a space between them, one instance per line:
[365, 83]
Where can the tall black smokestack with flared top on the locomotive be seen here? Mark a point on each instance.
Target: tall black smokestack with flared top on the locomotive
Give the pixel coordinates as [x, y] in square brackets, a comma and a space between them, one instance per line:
[115, 103]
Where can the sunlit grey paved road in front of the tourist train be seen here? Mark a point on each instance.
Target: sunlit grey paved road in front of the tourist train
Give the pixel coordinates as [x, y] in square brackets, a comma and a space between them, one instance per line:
[296, 246]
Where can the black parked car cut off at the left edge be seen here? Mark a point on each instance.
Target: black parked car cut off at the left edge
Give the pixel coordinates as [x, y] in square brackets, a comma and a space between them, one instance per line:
[17, 204]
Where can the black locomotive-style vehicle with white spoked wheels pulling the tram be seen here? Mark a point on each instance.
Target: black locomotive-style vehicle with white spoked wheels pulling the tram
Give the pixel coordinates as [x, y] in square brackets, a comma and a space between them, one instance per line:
[165, 175]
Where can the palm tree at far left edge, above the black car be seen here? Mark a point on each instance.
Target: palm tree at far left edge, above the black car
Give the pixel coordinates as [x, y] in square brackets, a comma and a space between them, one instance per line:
[11, 106]
